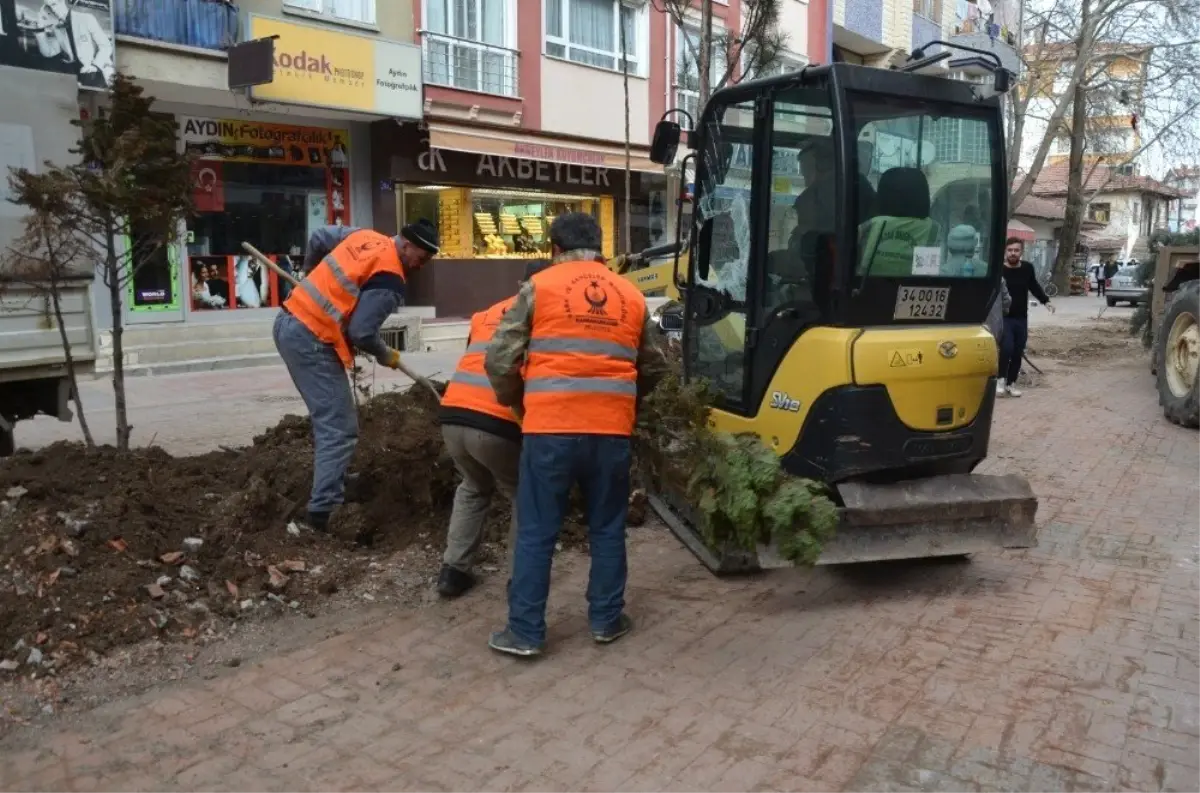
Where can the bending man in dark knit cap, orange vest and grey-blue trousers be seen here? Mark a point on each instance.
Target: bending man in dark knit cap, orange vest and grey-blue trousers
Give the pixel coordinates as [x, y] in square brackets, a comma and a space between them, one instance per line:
[356, 281]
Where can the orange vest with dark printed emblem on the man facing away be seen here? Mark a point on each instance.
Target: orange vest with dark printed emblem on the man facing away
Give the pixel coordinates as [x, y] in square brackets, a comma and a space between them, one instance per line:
[581, 369]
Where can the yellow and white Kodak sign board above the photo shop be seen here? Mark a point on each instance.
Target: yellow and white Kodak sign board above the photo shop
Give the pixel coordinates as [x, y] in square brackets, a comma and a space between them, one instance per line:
[323, 68]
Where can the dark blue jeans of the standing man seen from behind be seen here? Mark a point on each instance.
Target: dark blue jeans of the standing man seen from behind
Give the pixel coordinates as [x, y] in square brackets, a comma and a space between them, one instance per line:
[550, 466]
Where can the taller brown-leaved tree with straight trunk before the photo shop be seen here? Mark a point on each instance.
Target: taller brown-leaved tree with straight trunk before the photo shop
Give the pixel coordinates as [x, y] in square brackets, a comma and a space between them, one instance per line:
[125, 200]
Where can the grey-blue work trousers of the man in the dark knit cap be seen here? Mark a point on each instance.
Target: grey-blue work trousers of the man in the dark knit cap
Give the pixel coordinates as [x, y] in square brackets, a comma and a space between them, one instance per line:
[321, 379]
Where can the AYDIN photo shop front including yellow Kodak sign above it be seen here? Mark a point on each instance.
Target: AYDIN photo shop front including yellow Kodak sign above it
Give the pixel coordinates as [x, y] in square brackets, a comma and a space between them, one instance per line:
[271, 179]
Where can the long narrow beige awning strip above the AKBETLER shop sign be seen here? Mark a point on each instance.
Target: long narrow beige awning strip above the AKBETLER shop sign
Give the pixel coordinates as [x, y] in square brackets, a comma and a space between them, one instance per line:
[514, 145]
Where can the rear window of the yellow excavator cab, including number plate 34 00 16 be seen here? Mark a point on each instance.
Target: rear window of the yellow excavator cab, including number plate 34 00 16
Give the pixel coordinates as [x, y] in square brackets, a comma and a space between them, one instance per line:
[920, 255]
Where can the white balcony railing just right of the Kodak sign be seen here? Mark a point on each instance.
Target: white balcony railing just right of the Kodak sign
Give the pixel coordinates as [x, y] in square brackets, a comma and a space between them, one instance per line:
[470, 65]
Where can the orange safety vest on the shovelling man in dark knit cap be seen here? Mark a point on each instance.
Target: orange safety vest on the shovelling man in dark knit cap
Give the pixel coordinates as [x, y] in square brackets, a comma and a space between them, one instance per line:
[326, 299]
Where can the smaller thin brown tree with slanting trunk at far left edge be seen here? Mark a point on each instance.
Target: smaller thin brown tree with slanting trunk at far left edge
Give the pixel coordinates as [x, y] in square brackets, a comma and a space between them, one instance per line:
[47, 256]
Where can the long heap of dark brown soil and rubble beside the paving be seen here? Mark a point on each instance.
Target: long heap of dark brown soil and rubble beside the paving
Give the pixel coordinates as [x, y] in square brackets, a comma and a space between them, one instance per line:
[104, 549]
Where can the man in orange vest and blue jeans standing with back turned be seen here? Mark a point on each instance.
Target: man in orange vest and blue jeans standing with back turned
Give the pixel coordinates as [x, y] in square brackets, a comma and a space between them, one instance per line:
[573, 355]
